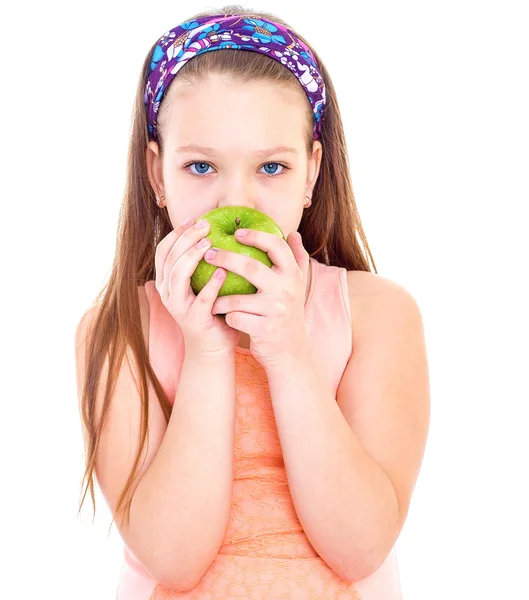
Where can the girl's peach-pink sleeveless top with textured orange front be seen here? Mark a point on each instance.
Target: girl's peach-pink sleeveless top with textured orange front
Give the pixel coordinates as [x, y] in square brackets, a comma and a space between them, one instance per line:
[265, 553]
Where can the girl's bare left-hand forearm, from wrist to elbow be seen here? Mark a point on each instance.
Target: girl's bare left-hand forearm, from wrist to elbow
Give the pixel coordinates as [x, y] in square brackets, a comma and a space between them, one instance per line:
[180, 509]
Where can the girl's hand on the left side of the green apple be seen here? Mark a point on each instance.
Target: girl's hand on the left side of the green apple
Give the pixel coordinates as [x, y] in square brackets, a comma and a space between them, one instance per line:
[176, 259]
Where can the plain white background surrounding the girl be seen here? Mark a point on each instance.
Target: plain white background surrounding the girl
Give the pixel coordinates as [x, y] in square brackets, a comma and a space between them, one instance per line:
[434, 99]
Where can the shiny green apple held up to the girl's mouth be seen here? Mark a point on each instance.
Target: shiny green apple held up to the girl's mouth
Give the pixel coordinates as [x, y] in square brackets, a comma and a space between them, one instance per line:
[224, 222]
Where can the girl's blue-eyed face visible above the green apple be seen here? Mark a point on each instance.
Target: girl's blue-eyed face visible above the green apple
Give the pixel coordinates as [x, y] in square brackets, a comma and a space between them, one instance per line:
[237, 127]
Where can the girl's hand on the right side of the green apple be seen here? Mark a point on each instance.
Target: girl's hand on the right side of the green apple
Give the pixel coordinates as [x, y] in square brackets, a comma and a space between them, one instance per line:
[274, 317]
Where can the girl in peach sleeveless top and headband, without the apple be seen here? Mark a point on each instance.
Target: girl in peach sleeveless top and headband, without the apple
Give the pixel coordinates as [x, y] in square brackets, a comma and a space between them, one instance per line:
[244, 448]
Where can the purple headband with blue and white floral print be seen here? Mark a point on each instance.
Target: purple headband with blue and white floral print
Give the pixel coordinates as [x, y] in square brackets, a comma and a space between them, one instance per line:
[219, 32]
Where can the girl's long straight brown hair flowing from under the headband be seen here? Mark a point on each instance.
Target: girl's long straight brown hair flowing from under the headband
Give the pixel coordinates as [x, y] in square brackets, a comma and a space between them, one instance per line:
[330, 229]
